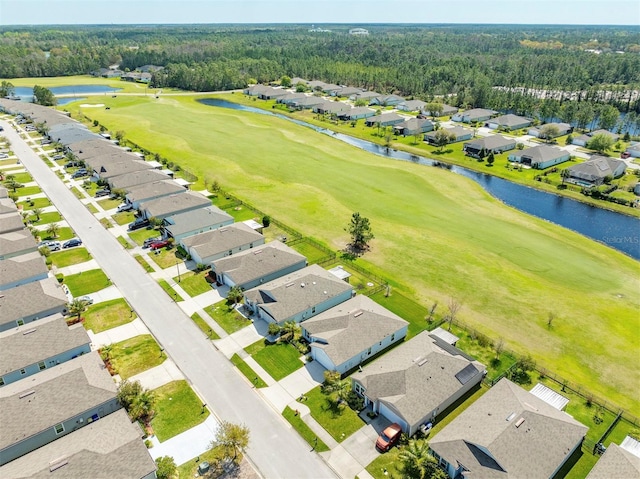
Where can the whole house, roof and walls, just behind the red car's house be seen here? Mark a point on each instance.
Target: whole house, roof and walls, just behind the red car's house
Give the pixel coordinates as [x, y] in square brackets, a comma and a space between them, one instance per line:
[347, 335]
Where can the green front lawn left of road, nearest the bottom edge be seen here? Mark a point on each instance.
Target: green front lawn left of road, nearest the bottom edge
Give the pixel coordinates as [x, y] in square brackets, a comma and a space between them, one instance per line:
[177, 410]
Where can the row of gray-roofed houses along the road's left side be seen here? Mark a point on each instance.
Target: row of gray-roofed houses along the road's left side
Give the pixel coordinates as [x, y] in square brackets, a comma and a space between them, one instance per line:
[58, 406]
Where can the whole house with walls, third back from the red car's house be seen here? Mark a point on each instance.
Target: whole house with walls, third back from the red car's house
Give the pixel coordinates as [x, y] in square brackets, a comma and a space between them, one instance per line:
[297, 296]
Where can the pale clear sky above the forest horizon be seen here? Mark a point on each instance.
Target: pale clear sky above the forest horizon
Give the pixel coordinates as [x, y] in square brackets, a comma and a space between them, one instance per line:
[320, 12]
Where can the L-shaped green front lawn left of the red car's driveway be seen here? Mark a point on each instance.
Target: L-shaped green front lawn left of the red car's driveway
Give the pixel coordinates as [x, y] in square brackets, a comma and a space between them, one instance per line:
[339, 424]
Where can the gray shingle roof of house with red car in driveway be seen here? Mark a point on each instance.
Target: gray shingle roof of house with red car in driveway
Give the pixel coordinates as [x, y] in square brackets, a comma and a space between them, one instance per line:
[417, 376]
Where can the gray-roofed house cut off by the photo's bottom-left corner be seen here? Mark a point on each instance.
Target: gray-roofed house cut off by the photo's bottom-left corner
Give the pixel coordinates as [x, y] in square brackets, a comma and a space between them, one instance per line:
[111, 447]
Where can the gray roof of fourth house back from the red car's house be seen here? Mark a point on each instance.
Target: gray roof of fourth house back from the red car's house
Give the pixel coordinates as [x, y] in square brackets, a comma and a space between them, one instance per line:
[257, 262]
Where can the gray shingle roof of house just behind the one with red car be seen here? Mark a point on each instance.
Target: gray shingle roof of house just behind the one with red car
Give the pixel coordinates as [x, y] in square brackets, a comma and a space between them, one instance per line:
[352, 327]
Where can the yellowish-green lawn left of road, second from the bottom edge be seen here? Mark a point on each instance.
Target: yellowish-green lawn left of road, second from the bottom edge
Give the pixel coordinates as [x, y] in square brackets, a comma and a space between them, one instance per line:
[137, 354]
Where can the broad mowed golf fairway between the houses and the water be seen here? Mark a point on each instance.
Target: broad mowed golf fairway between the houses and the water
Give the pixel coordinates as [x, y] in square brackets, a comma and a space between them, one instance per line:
[438, 235]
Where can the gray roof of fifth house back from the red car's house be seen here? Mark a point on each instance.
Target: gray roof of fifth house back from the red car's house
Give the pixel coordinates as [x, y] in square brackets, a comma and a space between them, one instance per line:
[223, 239]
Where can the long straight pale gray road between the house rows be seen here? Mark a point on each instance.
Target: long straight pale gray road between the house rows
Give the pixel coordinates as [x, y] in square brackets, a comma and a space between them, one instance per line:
[275, 448]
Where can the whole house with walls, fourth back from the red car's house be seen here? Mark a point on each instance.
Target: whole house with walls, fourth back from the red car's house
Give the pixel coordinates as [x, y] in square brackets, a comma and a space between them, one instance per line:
[260, 265]
